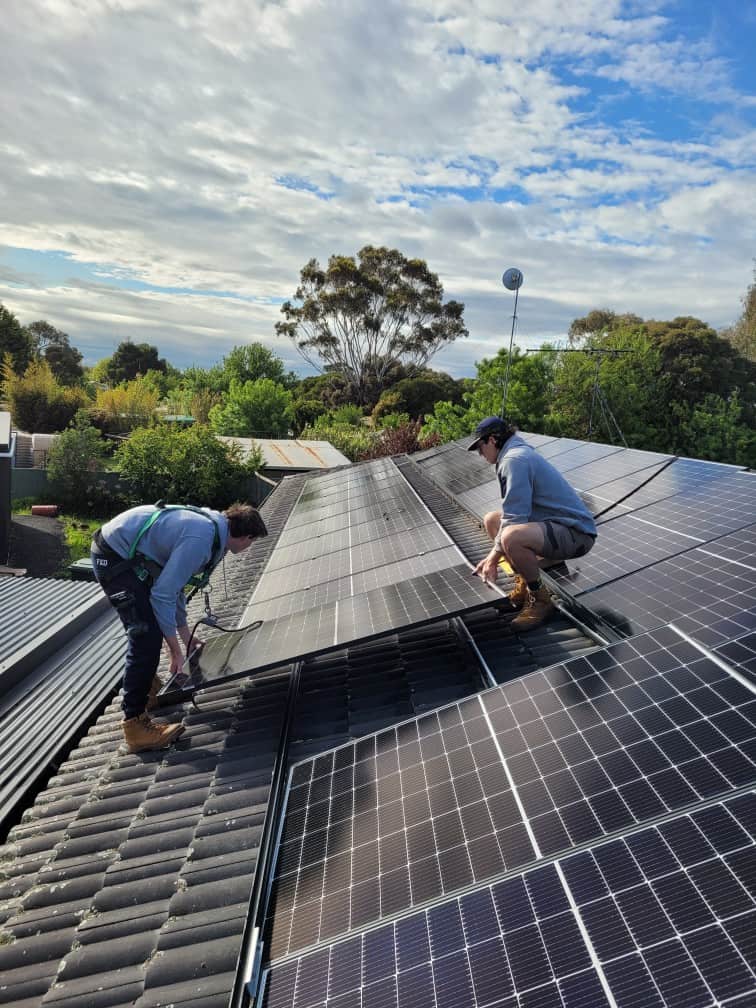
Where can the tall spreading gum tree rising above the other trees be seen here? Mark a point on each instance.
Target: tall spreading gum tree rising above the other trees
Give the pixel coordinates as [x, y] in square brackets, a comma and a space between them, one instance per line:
[363, 316]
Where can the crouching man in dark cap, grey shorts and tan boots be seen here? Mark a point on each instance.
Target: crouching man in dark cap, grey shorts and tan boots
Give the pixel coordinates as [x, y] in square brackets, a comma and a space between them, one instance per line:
[542, 518]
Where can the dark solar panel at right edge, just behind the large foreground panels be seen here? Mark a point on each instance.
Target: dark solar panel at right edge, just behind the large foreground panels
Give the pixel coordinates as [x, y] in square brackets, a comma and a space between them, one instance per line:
[713, 600]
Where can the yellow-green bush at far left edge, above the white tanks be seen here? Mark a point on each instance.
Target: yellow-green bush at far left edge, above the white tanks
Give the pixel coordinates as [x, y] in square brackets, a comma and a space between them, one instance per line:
[38, 403]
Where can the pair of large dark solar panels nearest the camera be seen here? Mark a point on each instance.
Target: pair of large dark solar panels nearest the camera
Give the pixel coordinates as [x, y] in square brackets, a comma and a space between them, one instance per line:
[434, 864]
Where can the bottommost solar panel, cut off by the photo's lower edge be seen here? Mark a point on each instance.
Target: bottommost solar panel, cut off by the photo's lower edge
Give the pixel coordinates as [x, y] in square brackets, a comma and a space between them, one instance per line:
[663, 919]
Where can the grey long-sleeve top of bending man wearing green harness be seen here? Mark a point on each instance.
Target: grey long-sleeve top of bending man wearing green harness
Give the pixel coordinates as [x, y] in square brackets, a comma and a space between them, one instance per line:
[181, 543]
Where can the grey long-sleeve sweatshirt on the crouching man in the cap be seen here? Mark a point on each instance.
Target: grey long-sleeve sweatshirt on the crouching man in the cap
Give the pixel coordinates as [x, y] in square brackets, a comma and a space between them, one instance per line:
[533, 490]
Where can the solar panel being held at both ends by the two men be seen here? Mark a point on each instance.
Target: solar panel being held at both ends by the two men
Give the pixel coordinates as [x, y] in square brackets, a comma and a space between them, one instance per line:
[419, 600]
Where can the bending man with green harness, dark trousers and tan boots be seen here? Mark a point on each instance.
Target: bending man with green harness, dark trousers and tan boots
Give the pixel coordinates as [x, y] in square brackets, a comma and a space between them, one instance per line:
[144, 559]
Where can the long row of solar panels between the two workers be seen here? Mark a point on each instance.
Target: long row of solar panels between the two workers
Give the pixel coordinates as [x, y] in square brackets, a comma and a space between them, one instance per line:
[361, 556]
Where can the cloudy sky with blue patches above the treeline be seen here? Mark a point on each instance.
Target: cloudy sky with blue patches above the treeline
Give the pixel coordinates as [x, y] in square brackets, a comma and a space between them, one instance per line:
[169, 167]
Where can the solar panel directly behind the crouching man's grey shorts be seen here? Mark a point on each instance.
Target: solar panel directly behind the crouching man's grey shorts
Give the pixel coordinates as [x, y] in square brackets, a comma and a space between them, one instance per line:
[623, 546]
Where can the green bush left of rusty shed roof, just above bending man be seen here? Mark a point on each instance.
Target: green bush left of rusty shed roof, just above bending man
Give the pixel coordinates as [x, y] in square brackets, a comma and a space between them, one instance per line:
[184, 465]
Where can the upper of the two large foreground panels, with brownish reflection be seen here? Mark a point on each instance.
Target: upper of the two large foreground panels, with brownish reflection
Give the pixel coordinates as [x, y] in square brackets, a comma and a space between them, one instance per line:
[563, 758]
